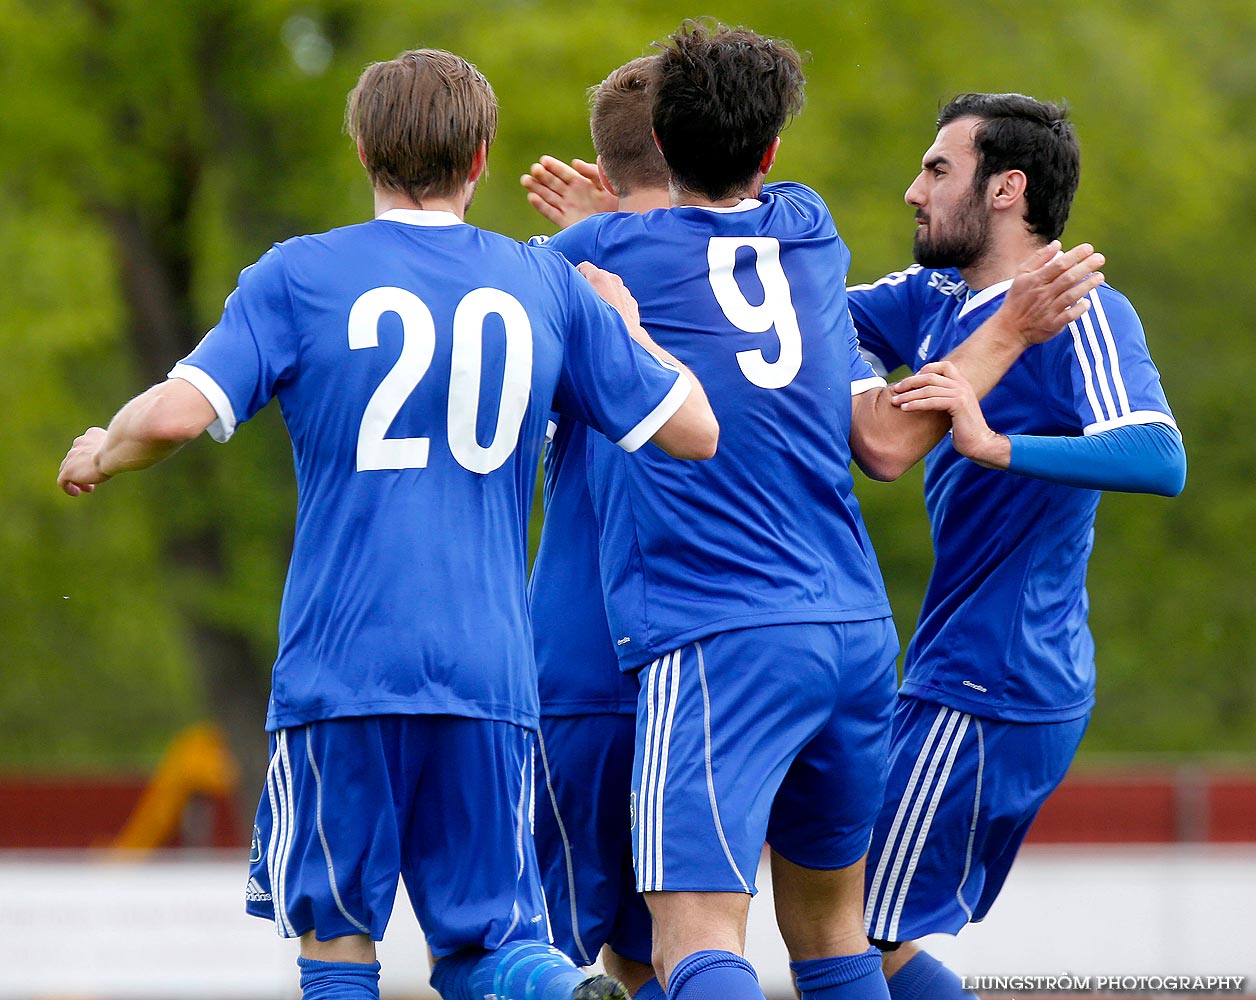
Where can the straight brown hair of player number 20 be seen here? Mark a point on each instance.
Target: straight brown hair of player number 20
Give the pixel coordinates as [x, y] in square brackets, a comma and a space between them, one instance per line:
[420, 120]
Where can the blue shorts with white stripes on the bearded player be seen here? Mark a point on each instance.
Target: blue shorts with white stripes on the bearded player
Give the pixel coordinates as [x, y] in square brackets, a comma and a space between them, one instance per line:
[961, 796]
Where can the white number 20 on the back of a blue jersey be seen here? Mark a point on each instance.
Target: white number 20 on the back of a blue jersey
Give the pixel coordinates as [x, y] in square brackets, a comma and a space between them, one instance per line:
[419, 346]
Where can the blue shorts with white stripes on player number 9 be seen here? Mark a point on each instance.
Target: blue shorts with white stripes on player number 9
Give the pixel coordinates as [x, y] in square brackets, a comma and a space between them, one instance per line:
[774, 734]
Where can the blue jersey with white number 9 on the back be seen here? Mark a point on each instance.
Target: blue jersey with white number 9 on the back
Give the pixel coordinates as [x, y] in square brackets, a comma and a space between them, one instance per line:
[753, 300]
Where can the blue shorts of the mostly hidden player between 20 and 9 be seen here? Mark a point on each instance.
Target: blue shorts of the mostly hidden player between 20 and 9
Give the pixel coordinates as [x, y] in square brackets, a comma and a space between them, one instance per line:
[583, 837]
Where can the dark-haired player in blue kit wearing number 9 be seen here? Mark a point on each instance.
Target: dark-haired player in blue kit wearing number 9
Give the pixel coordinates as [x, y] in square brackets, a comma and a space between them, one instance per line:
[749, 599]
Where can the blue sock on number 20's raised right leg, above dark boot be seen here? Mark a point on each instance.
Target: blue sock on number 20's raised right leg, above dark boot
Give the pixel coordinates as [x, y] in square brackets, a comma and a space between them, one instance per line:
[522, 970]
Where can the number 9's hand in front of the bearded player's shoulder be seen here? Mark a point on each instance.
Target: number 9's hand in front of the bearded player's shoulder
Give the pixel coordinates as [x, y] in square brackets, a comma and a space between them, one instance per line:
[1051, 291]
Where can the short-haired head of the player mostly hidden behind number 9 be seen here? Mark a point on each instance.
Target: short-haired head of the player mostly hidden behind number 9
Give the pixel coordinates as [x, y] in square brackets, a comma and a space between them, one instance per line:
[620, 120]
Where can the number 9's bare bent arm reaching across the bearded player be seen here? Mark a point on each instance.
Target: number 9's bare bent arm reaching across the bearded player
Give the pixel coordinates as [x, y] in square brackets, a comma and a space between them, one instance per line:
[1048, 293]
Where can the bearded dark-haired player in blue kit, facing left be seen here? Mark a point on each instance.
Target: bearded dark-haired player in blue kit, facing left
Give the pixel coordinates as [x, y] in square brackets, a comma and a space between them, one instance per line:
[999, 678]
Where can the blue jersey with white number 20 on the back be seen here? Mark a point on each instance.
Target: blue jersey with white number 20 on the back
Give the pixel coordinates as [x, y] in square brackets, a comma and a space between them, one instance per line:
[416, 360]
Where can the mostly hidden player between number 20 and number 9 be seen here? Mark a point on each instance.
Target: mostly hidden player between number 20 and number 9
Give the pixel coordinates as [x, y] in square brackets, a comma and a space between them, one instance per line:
[588, 707]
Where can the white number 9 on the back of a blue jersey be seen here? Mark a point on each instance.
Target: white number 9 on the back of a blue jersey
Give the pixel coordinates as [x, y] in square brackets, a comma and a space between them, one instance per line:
[776, 311]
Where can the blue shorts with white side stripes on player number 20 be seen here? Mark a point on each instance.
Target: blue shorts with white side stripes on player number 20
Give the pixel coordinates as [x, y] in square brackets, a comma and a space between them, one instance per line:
[443, 802]
